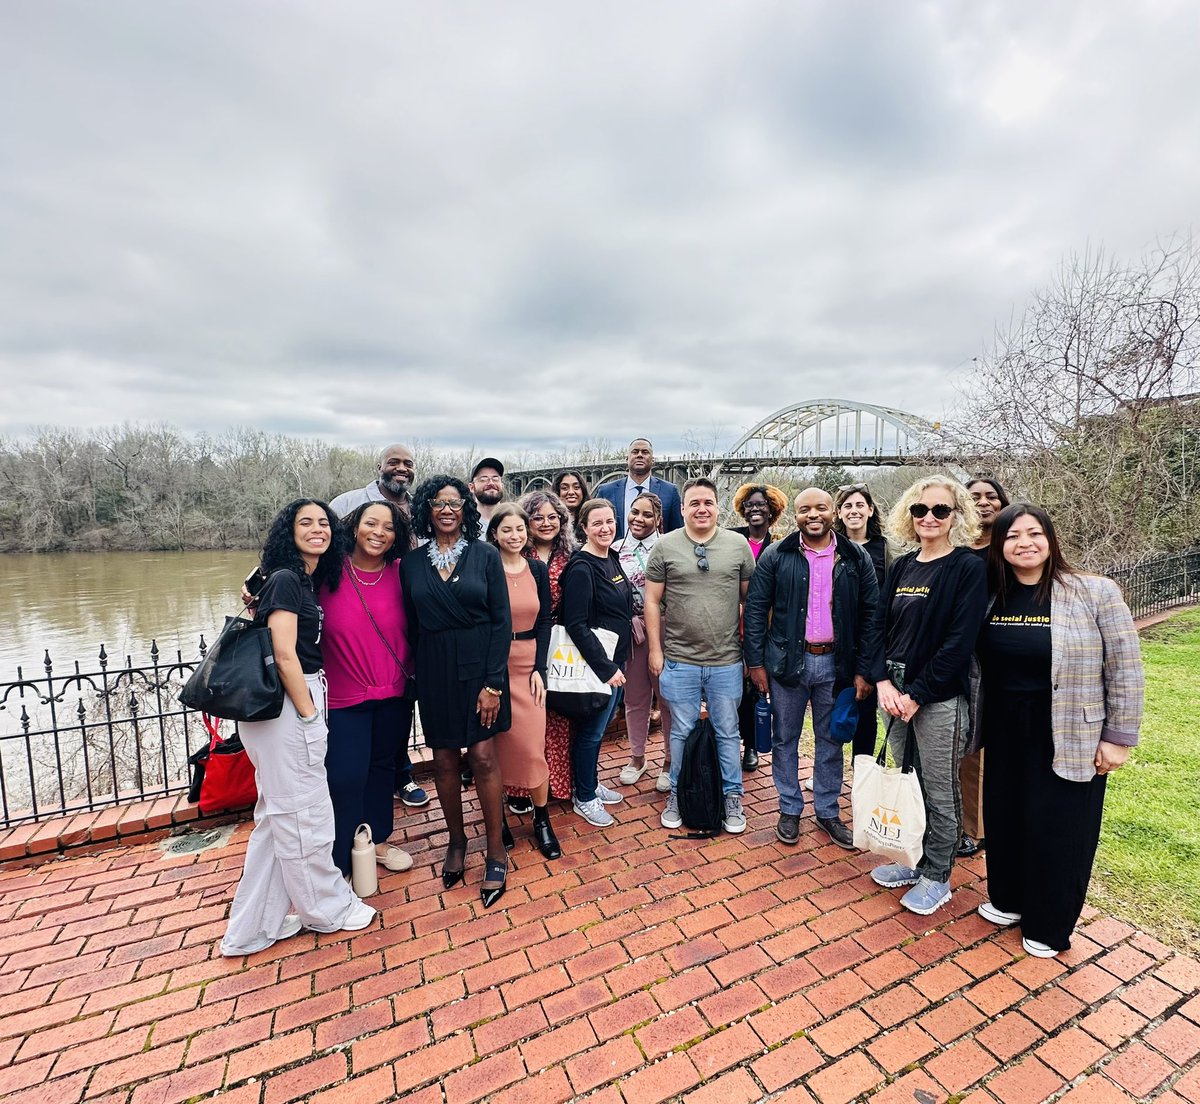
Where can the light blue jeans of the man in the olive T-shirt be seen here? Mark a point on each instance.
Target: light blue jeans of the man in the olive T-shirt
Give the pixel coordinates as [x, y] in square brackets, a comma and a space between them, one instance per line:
[682, 687]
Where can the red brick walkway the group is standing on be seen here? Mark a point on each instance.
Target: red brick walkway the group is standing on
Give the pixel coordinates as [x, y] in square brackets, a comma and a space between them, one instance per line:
[638, 969]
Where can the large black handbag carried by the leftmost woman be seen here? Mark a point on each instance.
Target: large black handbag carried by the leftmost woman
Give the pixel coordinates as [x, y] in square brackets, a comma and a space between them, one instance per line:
[238, 679]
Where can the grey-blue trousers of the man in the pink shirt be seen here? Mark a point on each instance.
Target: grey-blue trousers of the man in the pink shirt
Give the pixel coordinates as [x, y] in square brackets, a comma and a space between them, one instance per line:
[788, 706]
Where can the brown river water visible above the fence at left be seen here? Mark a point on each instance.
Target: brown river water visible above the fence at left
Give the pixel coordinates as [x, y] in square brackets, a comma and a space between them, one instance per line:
[70, 604]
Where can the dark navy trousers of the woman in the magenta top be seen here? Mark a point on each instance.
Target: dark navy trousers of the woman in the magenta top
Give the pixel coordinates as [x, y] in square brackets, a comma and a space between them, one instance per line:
[361, 766]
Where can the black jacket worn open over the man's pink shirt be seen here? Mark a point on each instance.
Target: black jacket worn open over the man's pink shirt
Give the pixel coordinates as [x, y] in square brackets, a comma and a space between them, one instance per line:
[777, 608]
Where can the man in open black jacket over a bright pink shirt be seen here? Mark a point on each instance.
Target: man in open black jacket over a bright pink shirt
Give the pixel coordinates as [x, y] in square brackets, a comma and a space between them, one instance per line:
[811, 631]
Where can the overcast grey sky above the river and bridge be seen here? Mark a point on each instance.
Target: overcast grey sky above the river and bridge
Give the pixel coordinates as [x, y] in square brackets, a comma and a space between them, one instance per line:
[508, 225]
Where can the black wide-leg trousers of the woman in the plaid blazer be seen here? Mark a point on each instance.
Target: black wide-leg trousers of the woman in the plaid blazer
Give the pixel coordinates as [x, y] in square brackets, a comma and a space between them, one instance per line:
[1042, 830]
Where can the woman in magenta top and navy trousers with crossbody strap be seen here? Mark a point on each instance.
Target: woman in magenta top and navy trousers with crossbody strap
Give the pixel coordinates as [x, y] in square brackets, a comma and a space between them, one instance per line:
[368, 664]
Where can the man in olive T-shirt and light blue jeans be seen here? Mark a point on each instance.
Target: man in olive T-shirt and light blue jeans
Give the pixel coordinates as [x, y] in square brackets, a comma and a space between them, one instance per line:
[695, 581]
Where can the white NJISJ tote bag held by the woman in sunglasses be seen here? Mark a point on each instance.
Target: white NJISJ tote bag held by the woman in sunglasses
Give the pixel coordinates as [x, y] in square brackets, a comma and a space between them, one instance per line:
[890, 812]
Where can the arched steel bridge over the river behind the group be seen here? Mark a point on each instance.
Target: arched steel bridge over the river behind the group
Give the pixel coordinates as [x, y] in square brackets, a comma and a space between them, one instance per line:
[818, 433]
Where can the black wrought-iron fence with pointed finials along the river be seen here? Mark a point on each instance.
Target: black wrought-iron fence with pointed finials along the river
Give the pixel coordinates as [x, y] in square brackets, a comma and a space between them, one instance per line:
[112, 734]
